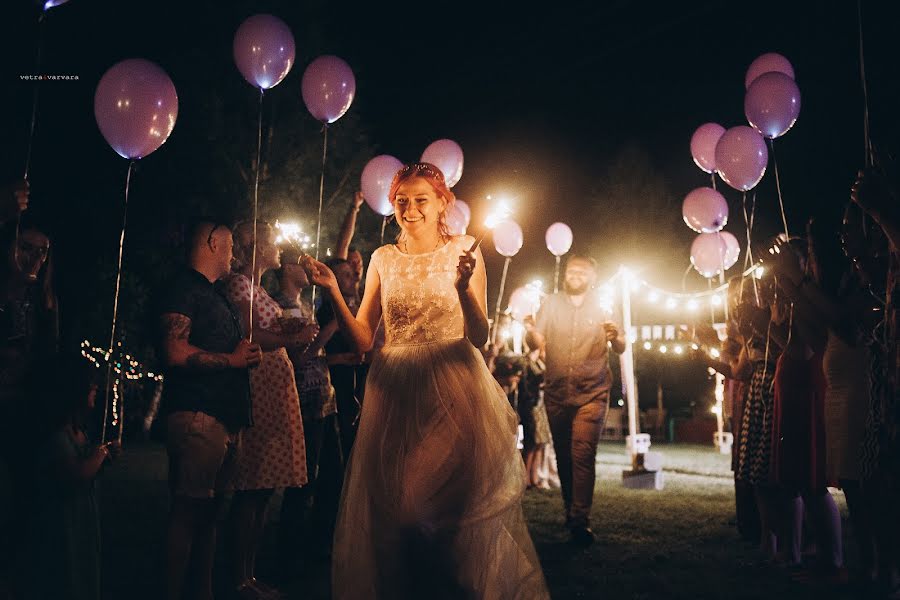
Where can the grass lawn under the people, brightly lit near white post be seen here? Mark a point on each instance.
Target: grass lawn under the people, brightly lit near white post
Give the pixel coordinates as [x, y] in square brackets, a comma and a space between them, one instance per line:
[674, 543]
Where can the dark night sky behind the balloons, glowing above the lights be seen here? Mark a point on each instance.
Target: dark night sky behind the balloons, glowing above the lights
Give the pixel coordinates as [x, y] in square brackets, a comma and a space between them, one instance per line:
[544, 102]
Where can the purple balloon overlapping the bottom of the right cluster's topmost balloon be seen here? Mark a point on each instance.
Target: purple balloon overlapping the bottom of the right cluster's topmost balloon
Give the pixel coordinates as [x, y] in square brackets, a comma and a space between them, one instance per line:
[772, 104]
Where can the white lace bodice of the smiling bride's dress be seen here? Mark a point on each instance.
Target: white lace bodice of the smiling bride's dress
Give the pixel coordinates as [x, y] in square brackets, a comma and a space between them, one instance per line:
[419, 302]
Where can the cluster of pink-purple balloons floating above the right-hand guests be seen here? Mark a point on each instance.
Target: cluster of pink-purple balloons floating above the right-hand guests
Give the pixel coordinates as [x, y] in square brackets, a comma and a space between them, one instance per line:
[739, 156]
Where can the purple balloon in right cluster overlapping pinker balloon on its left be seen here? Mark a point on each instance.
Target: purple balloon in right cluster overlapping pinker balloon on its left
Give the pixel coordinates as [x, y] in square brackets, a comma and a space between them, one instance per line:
[741, 157]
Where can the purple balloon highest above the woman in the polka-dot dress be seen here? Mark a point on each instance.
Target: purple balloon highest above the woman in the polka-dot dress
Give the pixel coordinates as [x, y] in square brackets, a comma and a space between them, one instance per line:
[263, 50]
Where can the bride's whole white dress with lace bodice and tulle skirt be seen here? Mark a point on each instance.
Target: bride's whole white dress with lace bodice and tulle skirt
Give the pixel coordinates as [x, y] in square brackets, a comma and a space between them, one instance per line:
[431, 500]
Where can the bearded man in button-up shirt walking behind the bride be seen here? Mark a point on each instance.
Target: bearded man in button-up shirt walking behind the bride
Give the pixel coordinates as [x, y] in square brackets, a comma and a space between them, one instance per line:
[575, 333]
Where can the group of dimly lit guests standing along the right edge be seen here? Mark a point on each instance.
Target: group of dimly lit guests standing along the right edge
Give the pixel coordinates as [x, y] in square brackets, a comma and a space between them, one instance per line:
[811, 357]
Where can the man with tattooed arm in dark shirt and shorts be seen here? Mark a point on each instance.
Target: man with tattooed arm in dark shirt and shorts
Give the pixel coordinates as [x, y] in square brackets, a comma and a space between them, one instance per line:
[207, 402]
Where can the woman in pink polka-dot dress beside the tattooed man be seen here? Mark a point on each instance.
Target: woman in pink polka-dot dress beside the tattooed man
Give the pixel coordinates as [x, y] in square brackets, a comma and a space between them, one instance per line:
[272, 453]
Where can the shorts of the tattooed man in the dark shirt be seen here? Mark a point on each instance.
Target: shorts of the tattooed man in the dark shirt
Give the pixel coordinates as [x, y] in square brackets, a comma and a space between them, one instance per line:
[202, 454]
